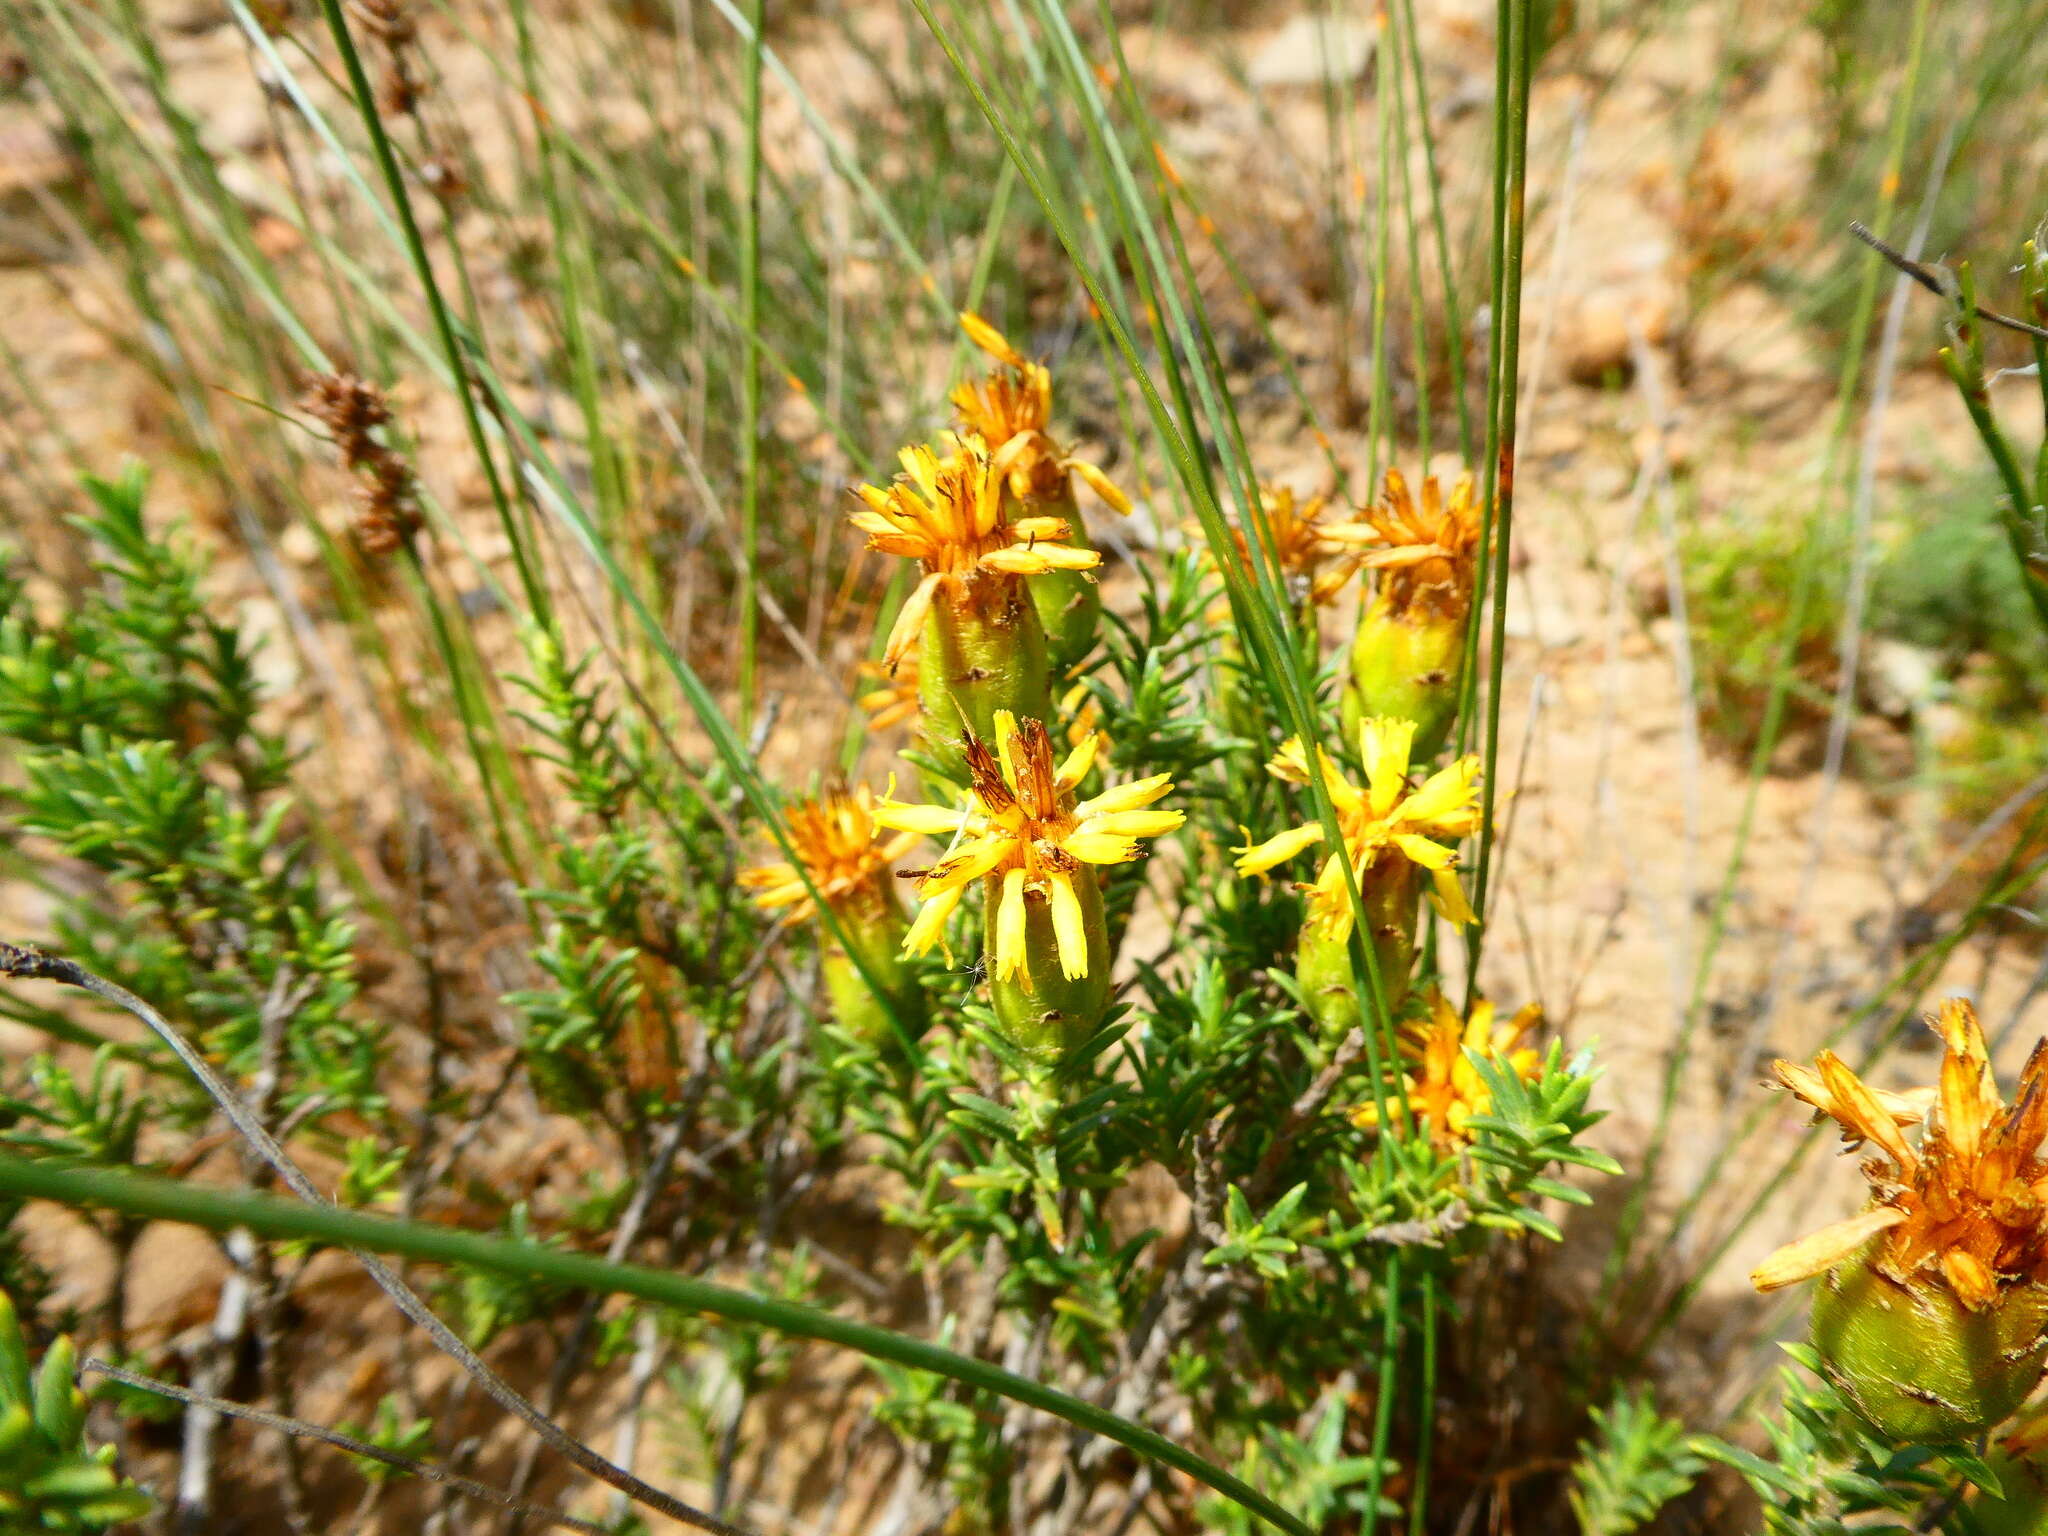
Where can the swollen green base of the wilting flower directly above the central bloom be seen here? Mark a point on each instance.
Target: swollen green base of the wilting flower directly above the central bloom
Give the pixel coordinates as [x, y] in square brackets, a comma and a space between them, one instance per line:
[982, 654]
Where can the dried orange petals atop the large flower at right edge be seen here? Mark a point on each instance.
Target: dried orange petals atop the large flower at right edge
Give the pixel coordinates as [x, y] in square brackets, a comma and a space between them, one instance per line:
[1965, 1203]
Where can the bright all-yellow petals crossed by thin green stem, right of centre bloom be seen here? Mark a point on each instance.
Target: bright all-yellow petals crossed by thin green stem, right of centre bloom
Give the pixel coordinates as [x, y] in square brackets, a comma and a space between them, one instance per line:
[1385, 824]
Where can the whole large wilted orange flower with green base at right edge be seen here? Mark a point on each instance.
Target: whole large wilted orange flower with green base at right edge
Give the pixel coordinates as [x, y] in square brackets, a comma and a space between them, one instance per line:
[1930, 1318]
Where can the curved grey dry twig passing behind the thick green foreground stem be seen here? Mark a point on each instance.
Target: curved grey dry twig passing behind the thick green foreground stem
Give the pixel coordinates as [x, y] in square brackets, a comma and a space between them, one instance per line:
[36, 966]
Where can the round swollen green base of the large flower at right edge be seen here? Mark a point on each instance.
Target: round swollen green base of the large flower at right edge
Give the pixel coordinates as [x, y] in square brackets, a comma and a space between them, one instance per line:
[1916, 1363]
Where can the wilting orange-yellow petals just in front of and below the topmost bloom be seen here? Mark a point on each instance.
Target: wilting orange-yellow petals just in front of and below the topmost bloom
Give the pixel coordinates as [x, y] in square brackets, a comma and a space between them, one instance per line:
[949, 517]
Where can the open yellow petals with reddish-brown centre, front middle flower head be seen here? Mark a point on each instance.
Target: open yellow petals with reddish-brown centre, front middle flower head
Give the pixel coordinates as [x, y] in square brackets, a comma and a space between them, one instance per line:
[1025, 833]
